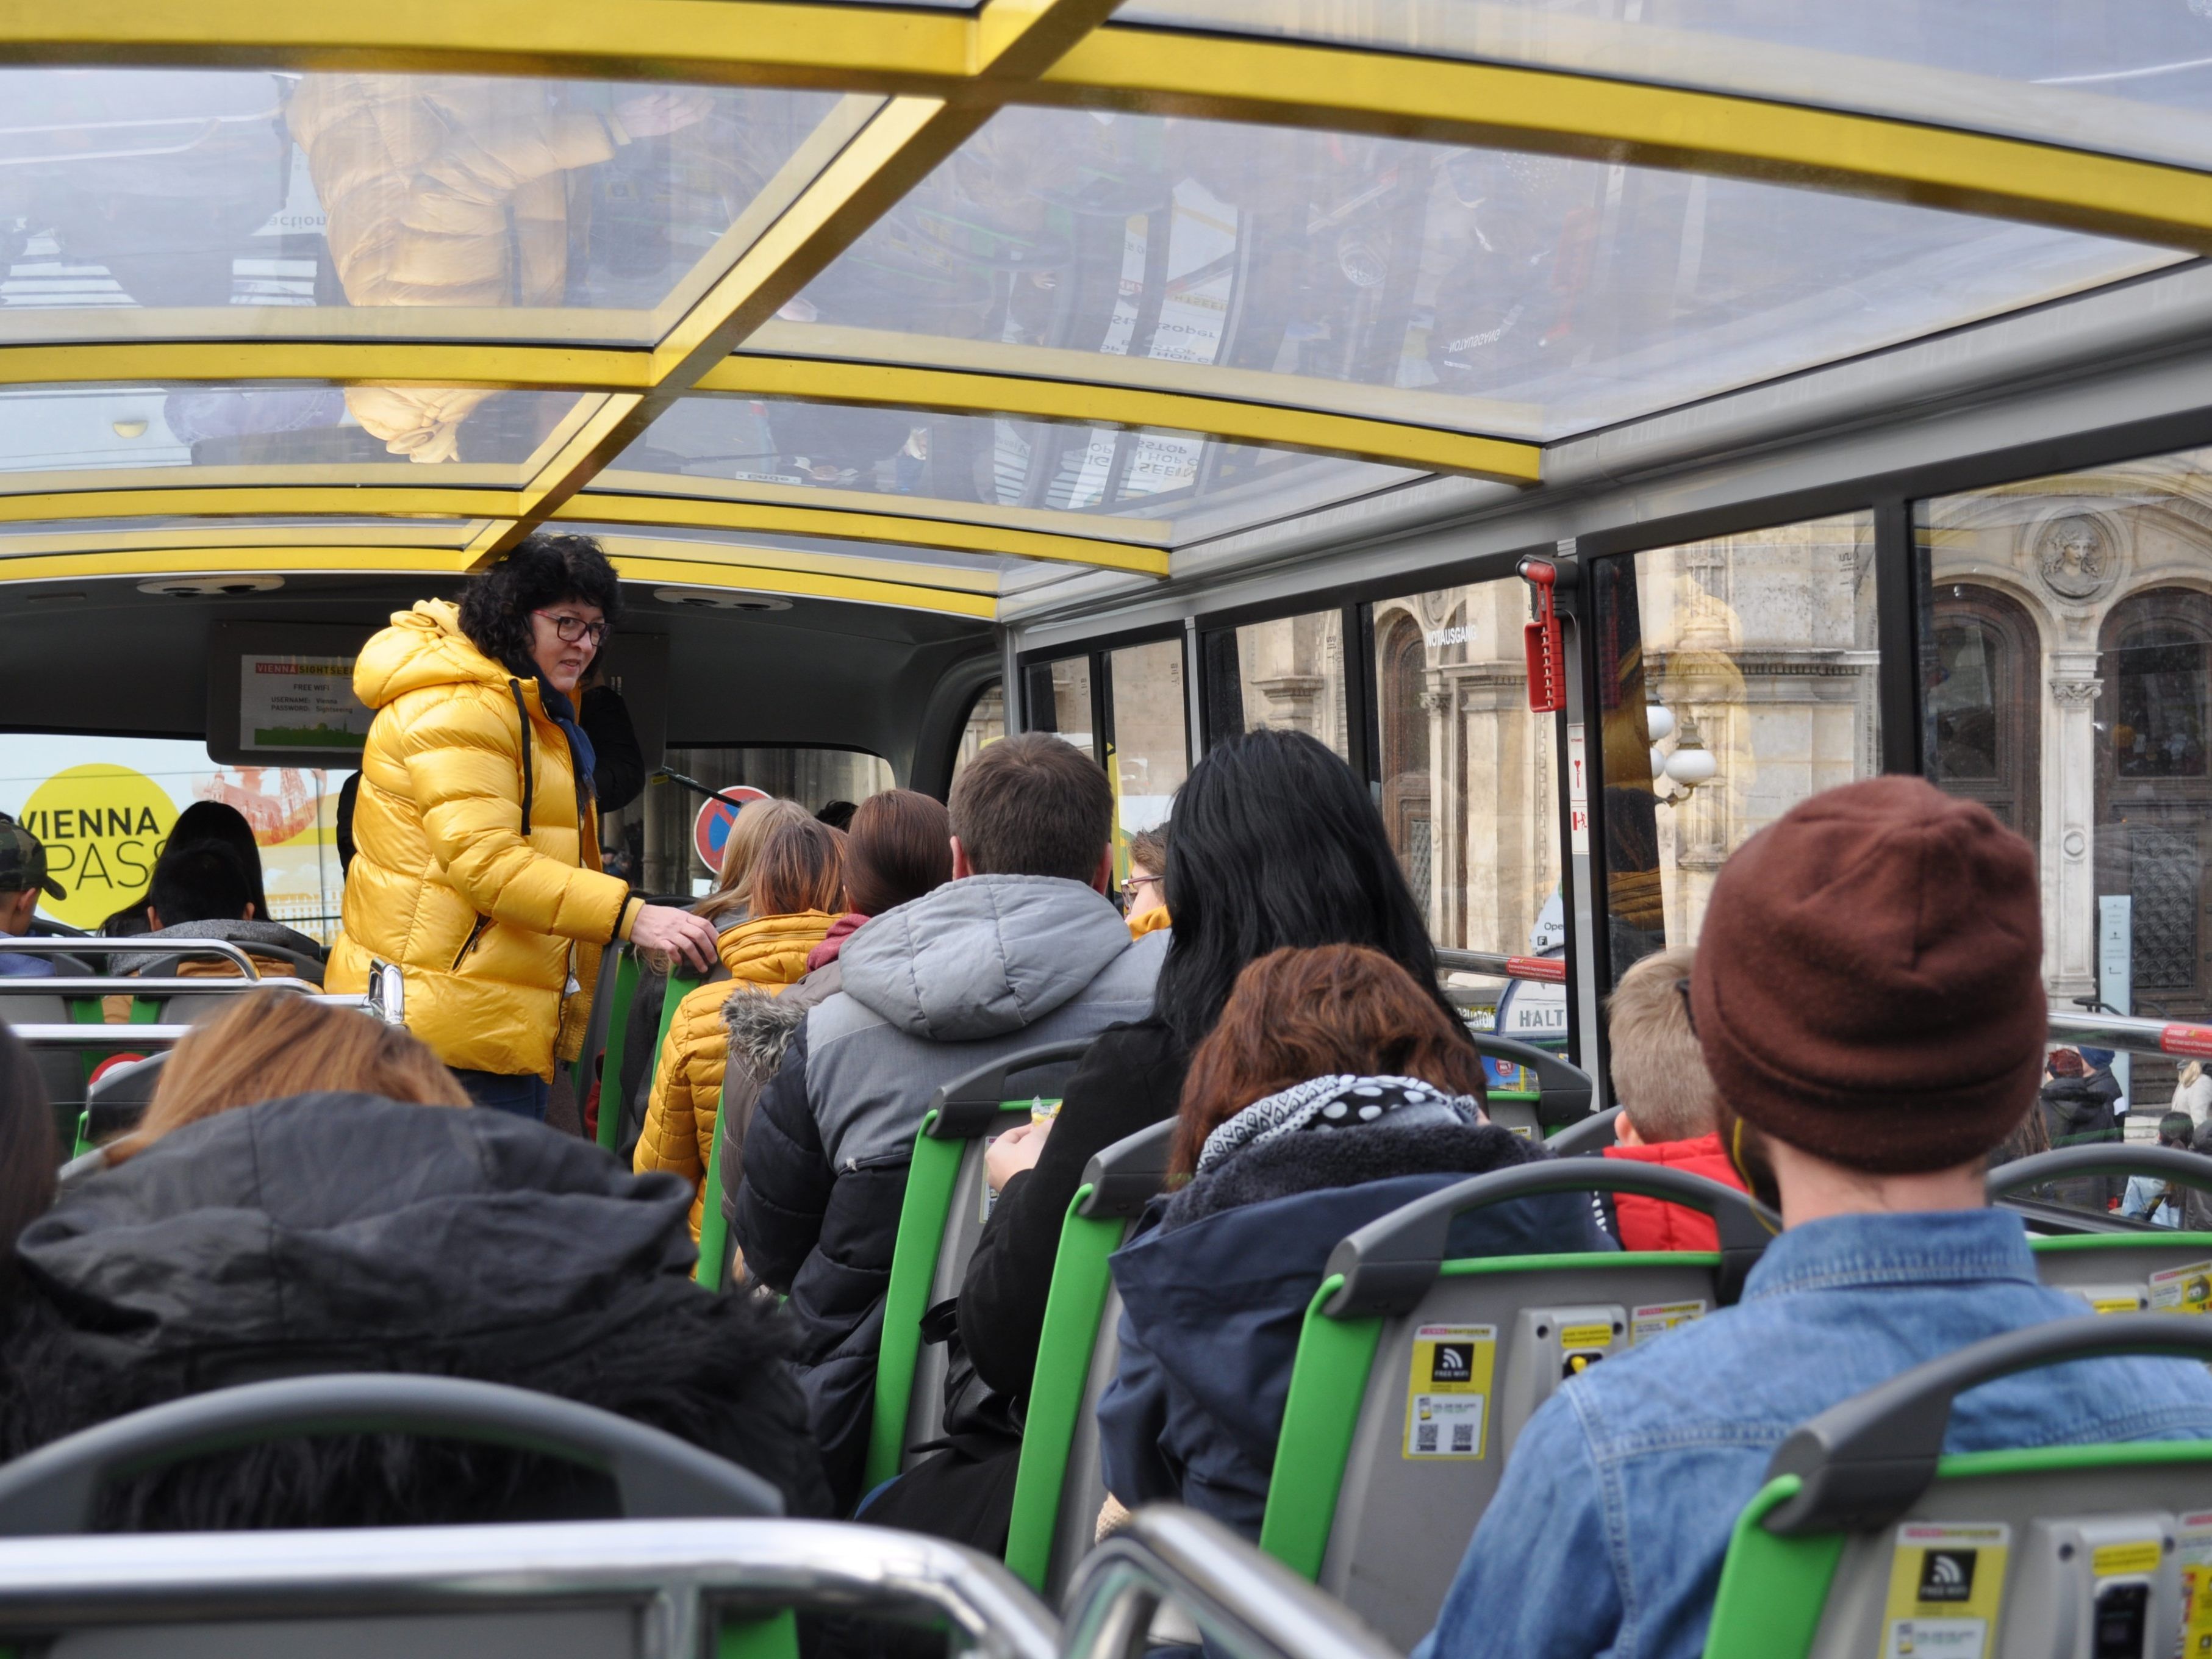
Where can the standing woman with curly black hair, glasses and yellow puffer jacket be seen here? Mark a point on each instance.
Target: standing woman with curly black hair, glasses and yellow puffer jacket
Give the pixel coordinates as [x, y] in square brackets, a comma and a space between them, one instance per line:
[477, 859]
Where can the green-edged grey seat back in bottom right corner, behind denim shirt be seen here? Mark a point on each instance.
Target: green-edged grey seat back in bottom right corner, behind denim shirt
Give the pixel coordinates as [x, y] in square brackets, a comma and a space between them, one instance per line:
[1870, 1541]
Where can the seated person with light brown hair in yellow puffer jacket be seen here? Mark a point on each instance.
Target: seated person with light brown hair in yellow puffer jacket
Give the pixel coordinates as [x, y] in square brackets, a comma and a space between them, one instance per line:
[795, 895]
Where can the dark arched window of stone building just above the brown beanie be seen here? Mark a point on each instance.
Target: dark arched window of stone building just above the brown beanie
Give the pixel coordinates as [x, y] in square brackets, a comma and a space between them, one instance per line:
[1983, 705]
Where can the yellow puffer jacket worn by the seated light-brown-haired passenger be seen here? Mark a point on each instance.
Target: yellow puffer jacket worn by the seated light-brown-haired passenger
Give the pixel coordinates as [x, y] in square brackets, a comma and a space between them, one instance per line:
[687, 1083]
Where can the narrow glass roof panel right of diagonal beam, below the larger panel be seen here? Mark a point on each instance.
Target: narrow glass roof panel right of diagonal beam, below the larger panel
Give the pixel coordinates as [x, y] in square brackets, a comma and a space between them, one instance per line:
[1034, 474]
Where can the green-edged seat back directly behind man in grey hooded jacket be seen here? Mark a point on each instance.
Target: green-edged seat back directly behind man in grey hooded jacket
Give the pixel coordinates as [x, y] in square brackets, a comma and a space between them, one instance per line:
[939, 1224]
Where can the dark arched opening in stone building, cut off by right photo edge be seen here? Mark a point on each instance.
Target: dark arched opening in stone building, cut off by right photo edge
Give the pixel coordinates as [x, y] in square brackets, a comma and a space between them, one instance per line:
[2156, 789]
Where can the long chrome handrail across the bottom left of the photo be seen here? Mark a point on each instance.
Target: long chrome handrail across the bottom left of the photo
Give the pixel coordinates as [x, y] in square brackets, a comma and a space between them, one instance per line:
[682, 1576]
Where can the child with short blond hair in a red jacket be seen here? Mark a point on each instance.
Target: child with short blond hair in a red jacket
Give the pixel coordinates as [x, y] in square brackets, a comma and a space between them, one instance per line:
[1669, 1109]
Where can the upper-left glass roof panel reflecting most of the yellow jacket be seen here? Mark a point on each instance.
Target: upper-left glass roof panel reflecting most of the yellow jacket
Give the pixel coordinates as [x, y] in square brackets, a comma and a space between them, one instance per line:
[384, 205]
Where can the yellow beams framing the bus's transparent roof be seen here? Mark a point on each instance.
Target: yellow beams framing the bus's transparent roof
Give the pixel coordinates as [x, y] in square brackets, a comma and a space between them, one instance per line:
[941, 76]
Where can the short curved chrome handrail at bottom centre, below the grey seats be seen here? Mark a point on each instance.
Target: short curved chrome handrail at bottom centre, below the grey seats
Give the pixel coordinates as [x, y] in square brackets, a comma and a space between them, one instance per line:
[1249, 1600]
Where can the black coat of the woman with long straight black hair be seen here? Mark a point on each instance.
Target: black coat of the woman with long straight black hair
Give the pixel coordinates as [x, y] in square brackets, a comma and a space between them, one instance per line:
[1131, 1081]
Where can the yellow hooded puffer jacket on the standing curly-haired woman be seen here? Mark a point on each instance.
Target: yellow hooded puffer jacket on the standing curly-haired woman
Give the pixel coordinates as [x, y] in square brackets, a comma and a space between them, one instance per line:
[477, 859]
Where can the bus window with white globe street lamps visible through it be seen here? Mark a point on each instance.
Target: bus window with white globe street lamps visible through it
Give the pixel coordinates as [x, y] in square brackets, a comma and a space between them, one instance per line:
[1738, 678]
